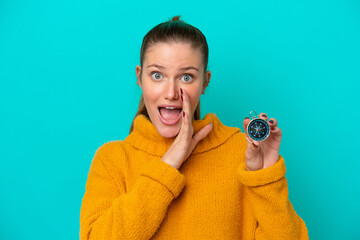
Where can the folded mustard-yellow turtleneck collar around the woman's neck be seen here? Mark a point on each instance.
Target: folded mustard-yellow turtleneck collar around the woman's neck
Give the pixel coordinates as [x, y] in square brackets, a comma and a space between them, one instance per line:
[145, 136]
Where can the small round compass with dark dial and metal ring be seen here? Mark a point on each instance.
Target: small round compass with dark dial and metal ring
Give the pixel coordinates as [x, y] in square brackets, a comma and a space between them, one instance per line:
[258, 129]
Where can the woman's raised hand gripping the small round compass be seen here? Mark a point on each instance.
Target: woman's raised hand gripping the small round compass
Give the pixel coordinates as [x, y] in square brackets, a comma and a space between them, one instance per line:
[260, 155]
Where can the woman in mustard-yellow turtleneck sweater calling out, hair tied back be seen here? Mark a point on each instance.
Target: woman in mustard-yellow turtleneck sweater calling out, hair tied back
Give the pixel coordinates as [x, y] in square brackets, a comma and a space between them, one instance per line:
[179, 177]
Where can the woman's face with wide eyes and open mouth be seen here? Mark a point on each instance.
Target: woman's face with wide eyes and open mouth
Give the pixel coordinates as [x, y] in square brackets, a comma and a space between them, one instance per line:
[167, 67]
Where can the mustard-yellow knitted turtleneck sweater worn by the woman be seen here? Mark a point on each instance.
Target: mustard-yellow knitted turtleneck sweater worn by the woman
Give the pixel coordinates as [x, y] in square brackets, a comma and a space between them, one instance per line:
[131, 194]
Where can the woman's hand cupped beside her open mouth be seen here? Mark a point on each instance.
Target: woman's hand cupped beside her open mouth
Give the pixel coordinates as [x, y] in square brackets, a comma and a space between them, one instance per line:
[185, 142]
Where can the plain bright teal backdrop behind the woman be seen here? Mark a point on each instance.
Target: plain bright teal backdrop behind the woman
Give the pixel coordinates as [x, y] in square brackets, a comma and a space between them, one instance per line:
[68, 85]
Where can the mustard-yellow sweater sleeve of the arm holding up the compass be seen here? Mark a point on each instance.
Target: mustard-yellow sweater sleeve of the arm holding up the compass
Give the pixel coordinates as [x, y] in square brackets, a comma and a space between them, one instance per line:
[267, 192]
